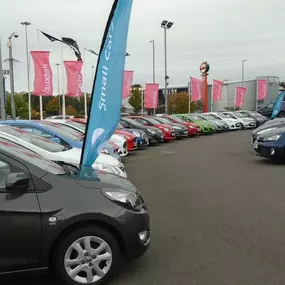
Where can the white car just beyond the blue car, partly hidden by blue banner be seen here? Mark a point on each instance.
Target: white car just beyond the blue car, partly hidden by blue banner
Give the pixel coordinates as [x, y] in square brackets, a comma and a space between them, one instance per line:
[119, 140]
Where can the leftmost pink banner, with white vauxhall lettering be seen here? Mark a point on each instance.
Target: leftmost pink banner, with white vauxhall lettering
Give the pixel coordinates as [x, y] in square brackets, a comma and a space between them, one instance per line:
[43, 74]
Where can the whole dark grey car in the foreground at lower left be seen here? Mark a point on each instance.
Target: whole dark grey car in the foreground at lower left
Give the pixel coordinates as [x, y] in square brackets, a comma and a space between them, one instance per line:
[50, 216]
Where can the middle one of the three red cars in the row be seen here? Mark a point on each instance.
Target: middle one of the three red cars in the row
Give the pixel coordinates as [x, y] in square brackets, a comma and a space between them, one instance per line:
[168, 132]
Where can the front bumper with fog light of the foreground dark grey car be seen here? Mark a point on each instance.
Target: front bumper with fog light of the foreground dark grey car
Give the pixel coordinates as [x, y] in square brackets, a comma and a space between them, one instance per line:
[135, 232]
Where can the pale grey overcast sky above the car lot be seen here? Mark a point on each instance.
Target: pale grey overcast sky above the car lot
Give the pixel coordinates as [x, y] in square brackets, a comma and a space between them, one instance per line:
[223, 32]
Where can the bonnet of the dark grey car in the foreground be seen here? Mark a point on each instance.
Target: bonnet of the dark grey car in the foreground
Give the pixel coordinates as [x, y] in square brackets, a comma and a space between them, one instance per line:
[107, 181]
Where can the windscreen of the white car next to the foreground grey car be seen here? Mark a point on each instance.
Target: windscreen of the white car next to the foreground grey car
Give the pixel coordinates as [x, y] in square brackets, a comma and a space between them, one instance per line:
[36, 140]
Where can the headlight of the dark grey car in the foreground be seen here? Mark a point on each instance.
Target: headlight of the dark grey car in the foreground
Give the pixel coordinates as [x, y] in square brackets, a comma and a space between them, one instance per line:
[127, 200]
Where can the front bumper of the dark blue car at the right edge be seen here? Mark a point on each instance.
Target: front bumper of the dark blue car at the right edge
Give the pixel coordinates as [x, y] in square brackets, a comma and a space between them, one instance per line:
[268, 150]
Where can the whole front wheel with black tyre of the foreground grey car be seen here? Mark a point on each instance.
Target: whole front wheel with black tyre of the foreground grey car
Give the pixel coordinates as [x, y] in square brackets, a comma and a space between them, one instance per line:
[89, 255]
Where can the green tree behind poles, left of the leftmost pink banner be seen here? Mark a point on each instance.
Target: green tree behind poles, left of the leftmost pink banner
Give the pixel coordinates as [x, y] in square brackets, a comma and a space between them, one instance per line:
[21, 105]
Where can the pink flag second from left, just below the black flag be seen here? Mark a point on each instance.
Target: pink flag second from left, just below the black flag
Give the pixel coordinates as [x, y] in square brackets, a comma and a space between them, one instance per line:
[74, 78]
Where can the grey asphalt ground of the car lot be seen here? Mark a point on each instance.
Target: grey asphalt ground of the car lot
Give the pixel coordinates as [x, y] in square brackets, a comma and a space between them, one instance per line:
[217, 215]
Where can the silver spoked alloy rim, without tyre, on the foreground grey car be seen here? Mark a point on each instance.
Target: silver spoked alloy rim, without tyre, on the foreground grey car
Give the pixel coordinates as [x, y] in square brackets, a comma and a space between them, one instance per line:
[88, 259]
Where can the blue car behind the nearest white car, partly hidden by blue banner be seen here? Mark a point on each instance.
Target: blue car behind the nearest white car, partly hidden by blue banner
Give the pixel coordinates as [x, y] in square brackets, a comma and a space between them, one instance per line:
[56, 133]
